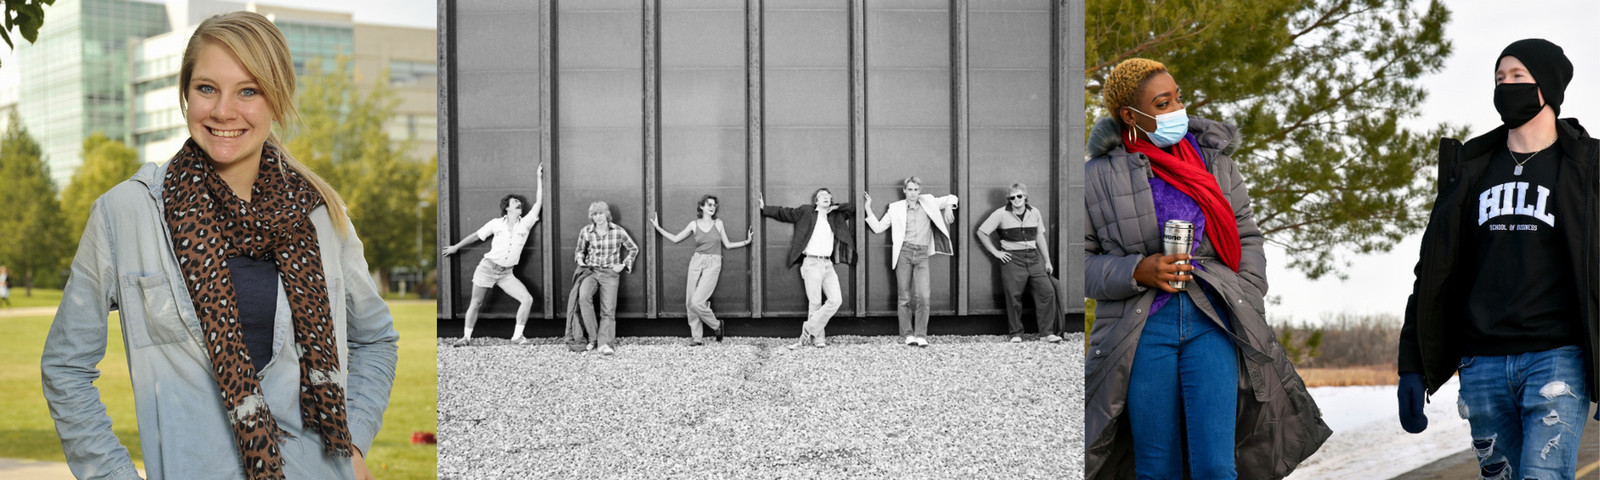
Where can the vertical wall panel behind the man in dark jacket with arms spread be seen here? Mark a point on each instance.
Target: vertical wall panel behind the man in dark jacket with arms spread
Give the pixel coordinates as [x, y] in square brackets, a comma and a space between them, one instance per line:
[807, 130]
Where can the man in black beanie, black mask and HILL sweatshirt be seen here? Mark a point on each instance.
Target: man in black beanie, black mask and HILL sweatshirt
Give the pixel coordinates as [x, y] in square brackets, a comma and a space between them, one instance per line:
[1506, 286]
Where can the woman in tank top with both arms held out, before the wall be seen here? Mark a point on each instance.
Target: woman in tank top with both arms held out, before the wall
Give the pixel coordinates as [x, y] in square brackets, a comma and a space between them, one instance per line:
[711, 238]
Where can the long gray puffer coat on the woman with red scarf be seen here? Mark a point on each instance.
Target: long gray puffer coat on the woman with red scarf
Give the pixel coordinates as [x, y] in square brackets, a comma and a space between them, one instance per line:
[1279, 425]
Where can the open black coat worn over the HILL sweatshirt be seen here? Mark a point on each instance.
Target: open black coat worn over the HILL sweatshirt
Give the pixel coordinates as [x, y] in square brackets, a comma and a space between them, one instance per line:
[1434, 311]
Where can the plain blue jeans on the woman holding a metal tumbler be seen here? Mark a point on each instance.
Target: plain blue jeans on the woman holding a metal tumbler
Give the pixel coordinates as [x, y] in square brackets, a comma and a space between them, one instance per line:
[1183, 393]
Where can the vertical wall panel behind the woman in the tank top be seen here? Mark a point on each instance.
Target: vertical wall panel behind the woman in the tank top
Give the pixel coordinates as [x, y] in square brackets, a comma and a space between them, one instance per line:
[703, 143]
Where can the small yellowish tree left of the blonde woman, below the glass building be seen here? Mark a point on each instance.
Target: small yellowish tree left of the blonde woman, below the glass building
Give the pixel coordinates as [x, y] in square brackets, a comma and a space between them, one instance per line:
[106, 164]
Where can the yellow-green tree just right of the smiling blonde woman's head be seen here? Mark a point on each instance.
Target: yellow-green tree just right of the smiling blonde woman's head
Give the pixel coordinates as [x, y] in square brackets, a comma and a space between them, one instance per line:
[343, 140]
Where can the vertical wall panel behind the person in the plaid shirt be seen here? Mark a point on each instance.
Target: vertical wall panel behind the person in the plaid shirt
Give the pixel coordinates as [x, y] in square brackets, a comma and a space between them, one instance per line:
[599, 134]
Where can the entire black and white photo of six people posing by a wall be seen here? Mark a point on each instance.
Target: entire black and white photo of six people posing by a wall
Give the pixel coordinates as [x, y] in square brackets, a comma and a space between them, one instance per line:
[761, 239]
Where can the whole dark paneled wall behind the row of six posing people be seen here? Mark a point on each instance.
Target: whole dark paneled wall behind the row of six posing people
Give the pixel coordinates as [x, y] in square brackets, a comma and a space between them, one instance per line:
[650, 105]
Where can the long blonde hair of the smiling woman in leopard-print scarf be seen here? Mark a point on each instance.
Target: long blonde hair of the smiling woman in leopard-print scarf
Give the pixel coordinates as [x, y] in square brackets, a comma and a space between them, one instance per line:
[258, 44]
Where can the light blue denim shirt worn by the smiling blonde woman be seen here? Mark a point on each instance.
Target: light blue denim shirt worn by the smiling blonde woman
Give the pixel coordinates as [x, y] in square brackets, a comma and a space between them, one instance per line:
[126, 263]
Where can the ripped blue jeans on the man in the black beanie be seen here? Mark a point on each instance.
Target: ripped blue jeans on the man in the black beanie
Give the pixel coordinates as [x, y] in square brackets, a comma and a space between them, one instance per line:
[1527, 412]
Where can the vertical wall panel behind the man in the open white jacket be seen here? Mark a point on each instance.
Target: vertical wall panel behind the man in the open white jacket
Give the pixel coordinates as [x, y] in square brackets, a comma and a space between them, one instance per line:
[908, 132]
